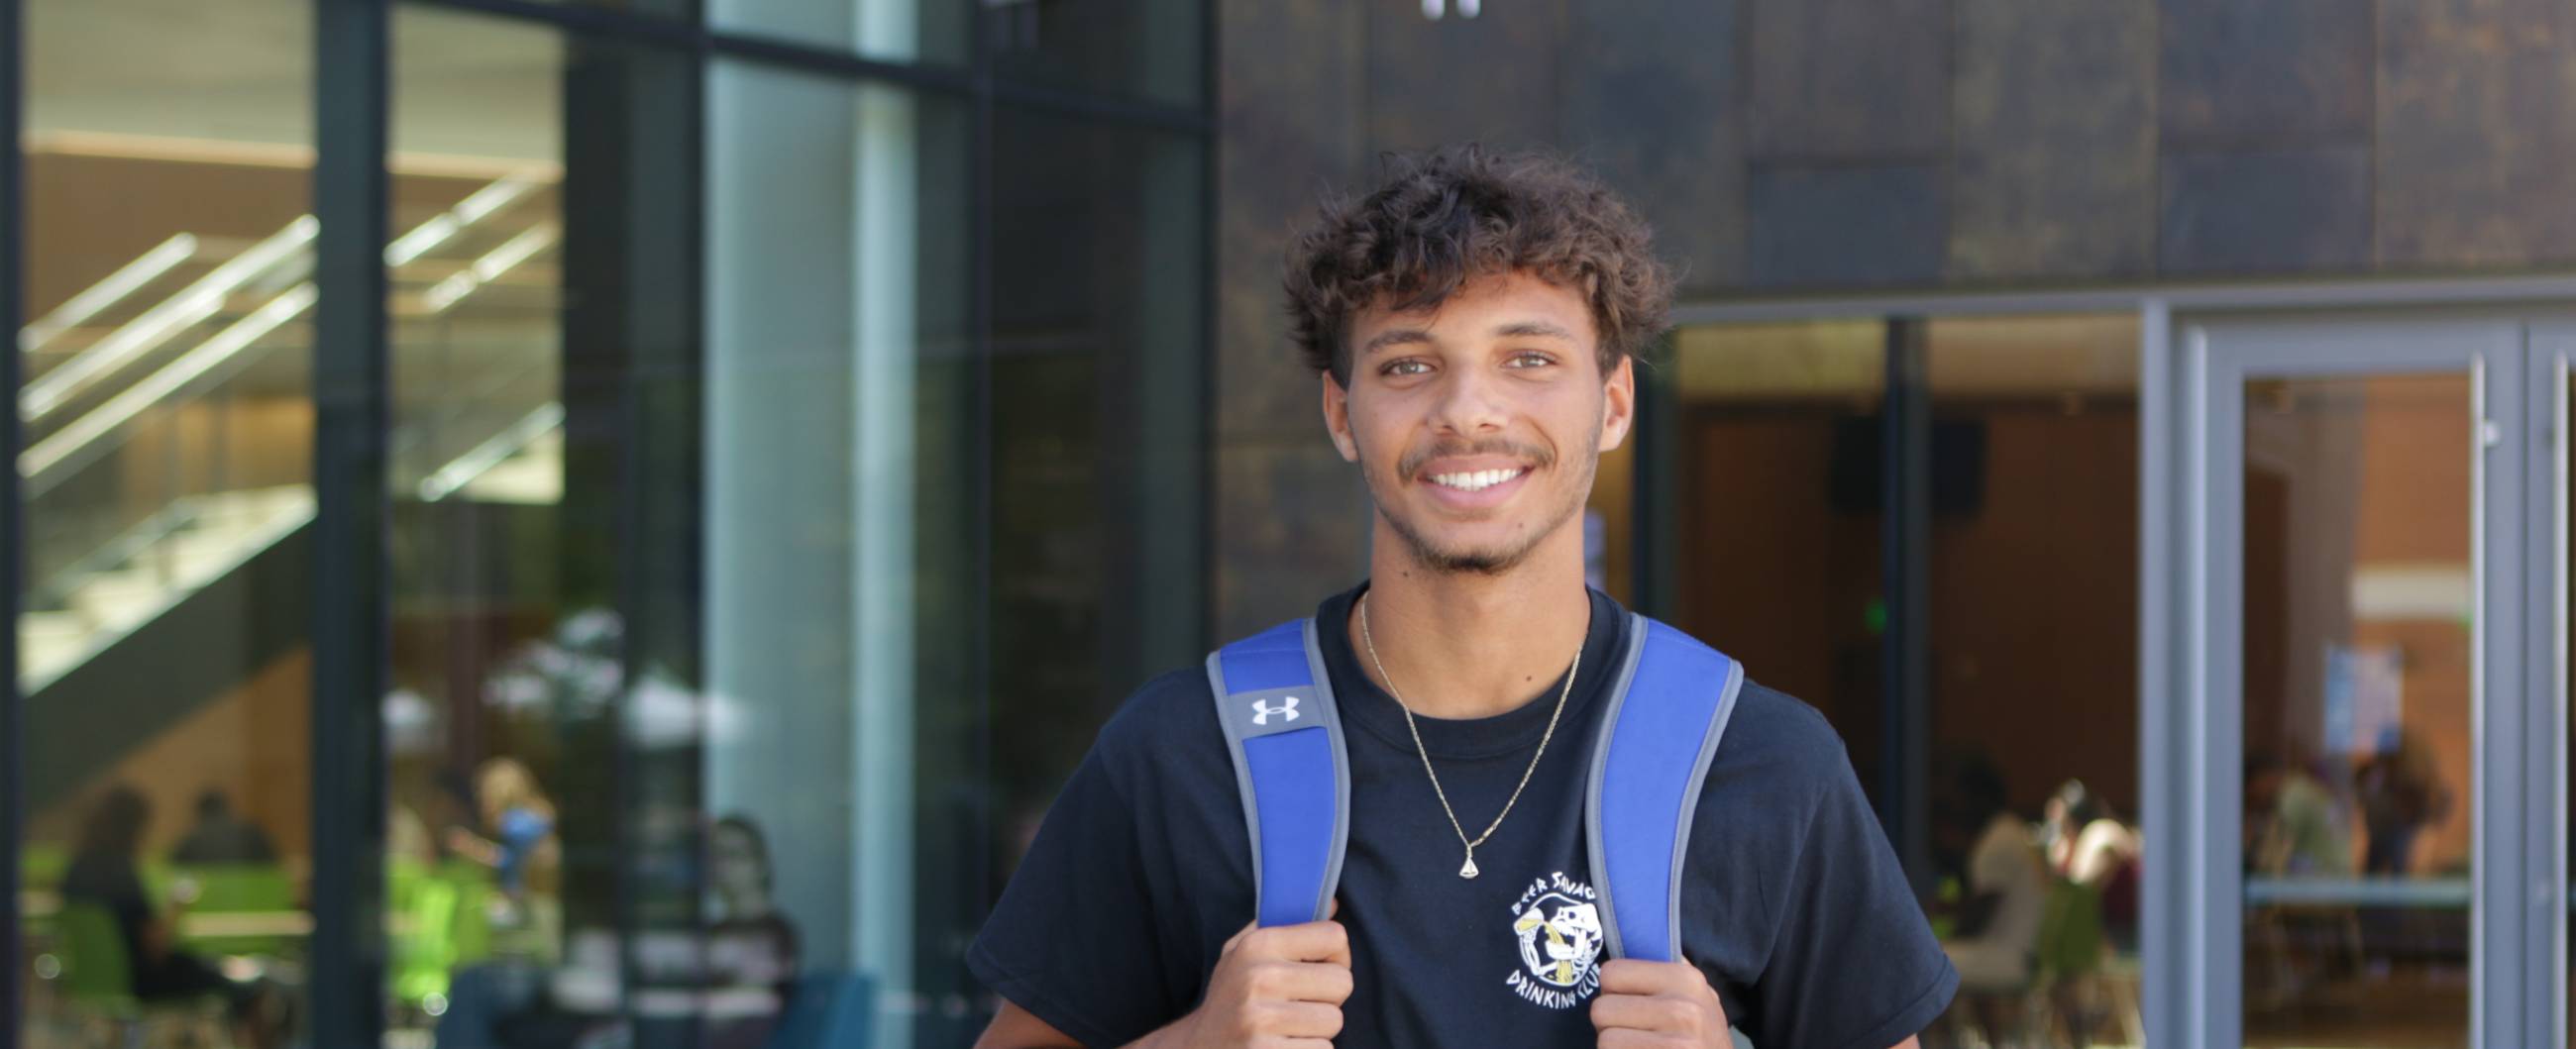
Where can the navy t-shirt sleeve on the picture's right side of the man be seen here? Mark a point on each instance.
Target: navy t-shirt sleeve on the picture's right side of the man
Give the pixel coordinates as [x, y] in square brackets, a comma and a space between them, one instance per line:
[1853, 963]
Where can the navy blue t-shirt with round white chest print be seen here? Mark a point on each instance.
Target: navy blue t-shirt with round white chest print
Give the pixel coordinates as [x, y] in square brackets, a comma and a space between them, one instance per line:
[1794, 903]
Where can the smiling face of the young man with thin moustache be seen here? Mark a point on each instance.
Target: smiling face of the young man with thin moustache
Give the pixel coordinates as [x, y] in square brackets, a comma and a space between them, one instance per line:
[1480, 424]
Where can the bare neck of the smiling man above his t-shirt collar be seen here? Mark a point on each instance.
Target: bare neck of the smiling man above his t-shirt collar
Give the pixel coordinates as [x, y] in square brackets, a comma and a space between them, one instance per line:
[1472, 646]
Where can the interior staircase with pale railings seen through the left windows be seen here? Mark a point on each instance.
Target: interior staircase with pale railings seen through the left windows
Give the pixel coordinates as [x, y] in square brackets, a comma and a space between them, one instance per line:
[169, 452]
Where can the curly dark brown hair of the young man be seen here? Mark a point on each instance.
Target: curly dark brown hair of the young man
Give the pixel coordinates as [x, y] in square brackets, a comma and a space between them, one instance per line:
[1464, 213]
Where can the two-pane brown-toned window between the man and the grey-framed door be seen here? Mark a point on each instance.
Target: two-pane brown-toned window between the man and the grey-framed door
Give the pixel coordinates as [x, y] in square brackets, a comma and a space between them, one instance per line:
[2031, 764]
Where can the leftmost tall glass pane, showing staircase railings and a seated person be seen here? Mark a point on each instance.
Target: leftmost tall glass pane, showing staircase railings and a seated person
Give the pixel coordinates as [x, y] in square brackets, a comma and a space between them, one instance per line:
[166, 476]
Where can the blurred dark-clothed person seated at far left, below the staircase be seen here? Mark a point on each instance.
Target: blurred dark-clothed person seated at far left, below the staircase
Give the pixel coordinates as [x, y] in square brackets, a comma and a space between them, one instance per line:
[107, 875]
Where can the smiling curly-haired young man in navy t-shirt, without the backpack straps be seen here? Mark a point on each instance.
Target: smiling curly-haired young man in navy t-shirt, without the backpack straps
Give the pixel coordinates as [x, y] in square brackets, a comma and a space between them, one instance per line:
[1475, 326]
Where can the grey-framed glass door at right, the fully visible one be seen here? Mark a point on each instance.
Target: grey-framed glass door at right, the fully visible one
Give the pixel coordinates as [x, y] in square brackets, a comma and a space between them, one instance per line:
[2366, 793]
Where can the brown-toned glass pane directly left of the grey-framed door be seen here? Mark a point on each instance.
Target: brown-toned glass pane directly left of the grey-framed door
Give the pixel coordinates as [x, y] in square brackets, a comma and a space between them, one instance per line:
[2034, 666]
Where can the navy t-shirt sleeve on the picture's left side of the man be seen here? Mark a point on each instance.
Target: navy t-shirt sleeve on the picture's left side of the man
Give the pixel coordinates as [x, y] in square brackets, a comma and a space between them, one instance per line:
[1073, 939]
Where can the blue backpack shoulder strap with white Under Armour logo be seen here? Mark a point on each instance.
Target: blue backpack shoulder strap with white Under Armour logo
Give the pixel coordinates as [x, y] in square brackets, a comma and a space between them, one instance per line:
[1287, 738]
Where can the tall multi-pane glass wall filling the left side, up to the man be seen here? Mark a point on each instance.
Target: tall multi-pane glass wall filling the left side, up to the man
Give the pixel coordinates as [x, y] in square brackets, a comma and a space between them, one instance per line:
[777, 504]
